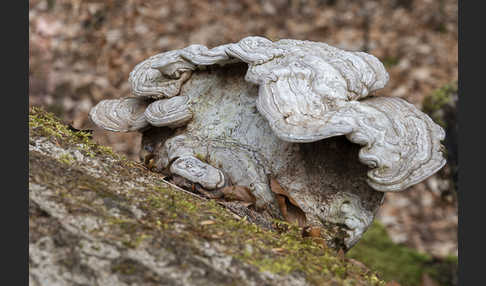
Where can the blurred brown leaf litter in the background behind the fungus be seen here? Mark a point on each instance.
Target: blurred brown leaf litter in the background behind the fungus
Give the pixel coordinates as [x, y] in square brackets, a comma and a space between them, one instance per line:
[82, 52]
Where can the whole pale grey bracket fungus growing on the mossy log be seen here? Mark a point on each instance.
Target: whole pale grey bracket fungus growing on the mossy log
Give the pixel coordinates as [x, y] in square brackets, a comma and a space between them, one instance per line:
[249, 112]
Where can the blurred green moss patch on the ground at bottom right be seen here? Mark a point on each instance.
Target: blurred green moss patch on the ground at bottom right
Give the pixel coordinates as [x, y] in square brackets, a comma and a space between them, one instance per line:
[393, 261]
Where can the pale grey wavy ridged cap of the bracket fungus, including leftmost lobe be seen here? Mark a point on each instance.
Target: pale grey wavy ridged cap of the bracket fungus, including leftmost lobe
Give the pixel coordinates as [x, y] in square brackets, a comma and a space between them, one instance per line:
[308, 91]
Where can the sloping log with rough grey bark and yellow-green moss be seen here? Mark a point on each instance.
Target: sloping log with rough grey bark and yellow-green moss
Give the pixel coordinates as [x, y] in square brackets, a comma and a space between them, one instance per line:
[96, 218]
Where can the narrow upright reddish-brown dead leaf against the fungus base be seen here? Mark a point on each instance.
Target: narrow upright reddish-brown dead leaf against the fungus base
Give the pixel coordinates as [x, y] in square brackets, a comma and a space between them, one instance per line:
[289, 208]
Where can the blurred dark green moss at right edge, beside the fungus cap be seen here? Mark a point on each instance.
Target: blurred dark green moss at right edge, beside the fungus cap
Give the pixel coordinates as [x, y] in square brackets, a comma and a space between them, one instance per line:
[434, 103]
